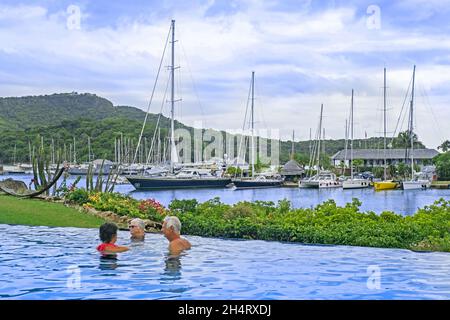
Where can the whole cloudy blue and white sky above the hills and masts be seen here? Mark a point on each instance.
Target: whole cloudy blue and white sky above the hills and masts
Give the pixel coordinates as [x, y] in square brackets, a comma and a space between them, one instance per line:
[303, 52]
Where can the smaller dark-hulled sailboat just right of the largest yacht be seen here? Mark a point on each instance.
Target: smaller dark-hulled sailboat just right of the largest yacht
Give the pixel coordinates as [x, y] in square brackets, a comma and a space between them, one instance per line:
[260, 181]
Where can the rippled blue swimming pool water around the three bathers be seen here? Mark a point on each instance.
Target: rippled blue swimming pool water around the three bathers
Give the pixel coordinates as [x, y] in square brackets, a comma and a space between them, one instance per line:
[44, 263]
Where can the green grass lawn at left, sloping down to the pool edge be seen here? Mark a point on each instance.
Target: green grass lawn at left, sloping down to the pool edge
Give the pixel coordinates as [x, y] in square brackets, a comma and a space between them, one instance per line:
[35, 212]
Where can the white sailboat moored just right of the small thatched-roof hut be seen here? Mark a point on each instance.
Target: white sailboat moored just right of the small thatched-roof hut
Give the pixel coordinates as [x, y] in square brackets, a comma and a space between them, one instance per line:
[323, 179]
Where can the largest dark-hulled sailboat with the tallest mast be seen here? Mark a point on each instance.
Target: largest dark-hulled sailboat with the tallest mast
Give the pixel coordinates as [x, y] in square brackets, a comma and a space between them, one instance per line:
[185, 178]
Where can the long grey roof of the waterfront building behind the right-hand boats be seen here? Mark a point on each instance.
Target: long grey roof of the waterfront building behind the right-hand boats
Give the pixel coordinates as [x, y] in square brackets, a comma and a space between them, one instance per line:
[378, 154]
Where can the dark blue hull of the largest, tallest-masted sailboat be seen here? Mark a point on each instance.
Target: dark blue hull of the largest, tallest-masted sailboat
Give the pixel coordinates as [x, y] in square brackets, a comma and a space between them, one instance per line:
[149, 183]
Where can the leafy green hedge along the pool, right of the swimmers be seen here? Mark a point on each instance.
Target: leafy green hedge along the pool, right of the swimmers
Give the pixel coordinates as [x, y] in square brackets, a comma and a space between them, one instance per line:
[327, 223]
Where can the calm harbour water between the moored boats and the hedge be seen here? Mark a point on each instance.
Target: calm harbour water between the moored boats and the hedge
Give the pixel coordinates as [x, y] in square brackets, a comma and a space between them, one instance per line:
[399, 201]
